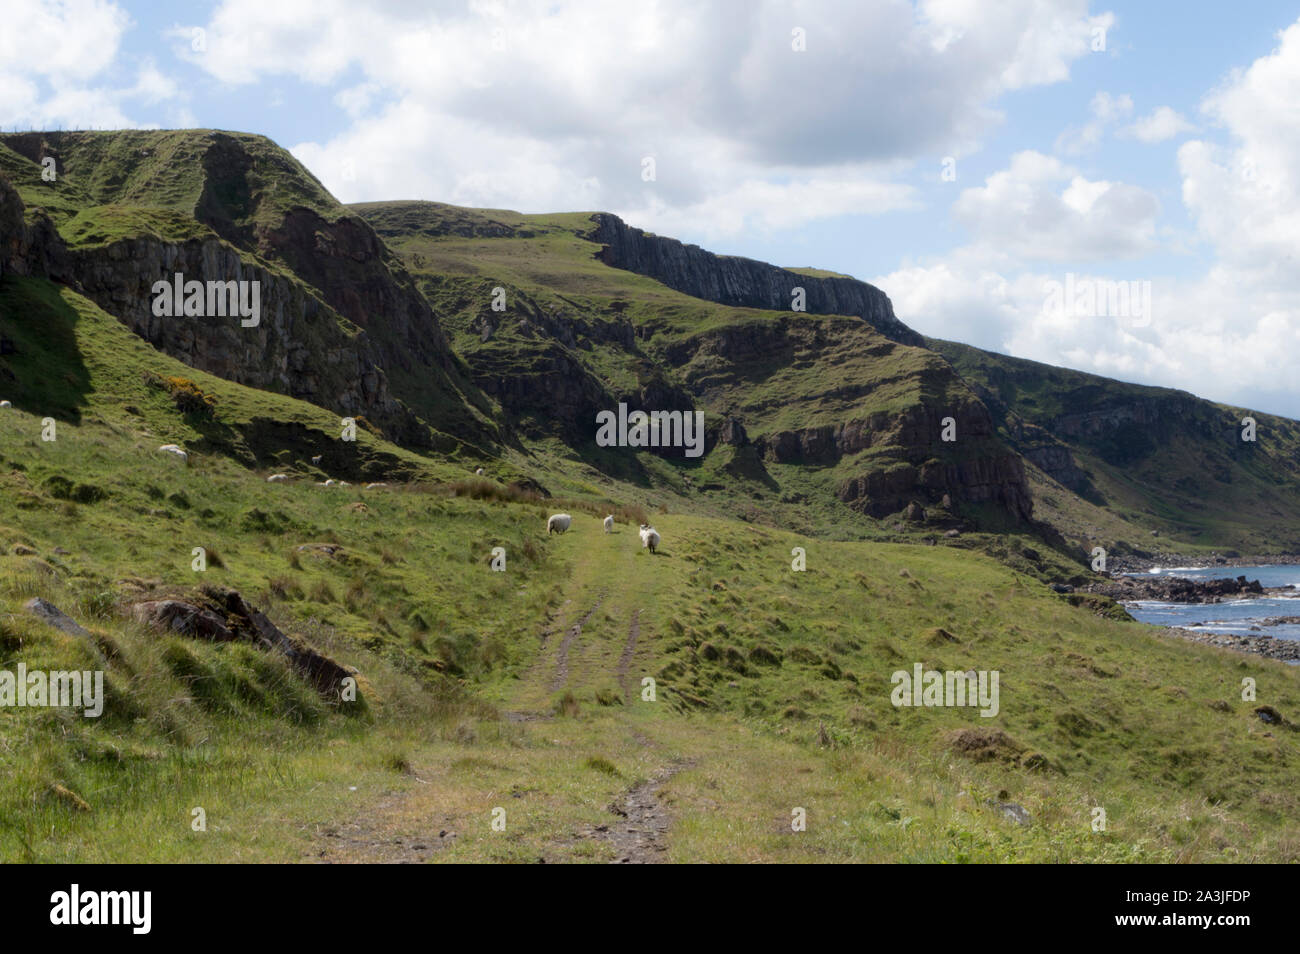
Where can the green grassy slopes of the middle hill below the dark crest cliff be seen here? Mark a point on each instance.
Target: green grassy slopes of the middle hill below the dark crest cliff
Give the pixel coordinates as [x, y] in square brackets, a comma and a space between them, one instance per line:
[838, 370]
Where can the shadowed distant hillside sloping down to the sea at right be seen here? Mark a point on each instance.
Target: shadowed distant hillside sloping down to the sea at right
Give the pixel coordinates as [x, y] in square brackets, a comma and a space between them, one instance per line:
[1165, 459]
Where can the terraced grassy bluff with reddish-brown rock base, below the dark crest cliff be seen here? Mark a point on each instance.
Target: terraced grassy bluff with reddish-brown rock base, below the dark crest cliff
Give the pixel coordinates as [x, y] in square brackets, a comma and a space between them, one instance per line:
[889, 454]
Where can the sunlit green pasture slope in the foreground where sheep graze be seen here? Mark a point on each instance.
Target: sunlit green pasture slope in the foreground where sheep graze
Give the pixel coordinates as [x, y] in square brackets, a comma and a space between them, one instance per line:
[1121, 715]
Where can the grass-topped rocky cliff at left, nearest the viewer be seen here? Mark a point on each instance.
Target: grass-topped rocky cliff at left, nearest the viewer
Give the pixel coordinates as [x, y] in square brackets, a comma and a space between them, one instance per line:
[326, 274]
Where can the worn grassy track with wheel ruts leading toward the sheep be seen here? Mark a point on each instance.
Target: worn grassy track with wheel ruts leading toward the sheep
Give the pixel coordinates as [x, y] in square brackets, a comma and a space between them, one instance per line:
[566, 804]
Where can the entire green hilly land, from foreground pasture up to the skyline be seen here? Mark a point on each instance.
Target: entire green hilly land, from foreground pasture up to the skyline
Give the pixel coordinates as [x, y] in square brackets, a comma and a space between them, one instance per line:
[526, 695]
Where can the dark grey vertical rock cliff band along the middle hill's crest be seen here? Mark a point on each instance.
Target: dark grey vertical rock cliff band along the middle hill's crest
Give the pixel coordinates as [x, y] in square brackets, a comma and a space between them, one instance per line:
[742, 283]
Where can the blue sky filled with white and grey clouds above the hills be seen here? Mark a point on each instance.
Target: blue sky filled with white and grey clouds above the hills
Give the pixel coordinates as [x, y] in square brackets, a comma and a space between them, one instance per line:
[1111, 188]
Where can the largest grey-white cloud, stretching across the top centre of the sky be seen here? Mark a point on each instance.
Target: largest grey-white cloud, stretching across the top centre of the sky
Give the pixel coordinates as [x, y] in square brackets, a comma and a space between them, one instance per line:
[544, 106]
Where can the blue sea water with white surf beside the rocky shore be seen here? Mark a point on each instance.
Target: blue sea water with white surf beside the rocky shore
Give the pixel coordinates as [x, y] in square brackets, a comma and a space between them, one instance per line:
[1234, 617]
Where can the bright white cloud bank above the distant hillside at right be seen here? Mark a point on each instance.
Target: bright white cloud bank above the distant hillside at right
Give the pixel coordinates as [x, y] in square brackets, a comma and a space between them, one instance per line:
[1232, 335]
